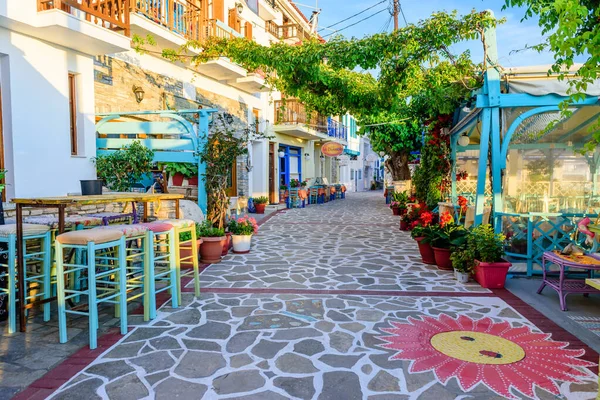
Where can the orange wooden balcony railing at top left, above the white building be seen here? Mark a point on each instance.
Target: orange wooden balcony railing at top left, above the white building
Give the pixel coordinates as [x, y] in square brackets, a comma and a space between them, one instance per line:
[110, 14]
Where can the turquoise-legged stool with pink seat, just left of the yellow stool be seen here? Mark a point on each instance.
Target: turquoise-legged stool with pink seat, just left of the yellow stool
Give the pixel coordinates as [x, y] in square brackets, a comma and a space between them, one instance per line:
[162, 257]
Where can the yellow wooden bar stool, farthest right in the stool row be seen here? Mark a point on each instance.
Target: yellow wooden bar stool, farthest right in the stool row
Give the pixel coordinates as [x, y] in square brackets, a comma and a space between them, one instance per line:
[186, 228]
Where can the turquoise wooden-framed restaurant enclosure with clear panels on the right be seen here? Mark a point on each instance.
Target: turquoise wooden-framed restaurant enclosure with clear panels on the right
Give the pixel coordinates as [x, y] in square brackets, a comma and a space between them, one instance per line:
[508, 133]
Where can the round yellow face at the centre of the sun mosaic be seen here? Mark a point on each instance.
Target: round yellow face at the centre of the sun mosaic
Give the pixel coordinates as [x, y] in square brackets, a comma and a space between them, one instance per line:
[477, 347]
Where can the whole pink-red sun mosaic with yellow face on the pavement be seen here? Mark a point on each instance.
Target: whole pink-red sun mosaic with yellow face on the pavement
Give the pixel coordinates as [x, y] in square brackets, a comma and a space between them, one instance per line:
[503, 357]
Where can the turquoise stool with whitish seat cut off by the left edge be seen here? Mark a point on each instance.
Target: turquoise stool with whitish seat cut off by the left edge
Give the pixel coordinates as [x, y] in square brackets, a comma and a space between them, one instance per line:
[37, 280]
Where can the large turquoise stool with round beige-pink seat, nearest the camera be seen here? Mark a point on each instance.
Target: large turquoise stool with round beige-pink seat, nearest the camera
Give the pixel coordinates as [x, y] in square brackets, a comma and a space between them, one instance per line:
[106, 276]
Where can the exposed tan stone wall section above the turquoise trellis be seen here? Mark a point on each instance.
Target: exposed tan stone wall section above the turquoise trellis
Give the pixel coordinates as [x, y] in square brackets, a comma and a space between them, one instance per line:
[114, 79]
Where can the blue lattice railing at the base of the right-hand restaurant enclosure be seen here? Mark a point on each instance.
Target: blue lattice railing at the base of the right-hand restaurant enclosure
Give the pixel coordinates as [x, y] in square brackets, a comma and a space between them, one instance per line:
[531, 234]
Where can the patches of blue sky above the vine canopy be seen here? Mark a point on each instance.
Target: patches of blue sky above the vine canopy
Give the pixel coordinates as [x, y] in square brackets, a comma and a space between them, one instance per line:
[512, 35]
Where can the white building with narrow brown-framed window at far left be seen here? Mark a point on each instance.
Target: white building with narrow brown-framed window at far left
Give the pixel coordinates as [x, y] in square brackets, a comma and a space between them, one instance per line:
[47, 95]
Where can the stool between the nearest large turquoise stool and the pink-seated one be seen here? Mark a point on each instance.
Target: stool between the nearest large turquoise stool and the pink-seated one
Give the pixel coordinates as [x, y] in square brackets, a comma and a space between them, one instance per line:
[138, 272]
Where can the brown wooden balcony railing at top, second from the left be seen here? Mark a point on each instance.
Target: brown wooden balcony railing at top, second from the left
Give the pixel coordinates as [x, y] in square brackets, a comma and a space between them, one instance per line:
[179, 16]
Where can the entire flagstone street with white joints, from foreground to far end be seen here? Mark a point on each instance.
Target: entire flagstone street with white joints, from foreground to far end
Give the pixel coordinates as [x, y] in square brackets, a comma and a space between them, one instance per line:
[333, 303]
